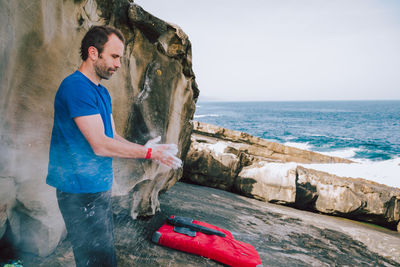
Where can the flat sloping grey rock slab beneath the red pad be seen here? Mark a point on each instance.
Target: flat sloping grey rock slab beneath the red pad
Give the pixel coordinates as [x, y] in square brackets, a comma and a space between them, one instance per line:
[283, 236]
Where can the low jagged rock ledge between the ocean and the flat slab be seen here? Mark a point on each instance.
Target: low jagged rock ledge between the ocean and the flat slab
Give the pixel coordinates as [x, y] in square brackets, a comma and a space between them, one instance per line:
[271, 172]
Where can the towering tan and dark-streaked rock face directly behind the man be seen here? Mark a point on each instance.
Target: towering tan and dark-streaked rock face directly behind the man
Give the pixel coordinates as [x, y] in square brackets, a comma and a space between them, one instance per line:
[153, 94]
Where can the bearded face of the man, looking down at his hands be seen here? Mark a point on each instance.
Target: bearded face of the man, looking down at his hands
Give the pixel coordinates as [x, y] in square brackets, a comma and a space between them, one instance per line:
[110, 59]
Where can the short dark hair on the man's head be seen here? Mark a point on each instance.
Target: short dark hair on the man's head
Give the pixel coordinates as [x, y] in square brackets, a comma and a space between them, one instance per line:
[97, 36]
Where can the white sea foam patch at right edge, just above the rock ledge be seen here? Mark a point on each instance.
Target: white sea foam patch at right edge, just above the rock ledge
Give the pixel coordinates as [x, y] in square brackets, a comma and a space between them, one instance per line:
[384, 172]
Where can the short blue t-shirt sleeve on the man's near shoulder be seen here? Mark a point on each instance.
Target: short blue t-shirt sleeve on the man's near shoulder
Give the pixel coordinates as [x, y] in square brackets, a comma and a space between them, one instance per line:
[80, 99]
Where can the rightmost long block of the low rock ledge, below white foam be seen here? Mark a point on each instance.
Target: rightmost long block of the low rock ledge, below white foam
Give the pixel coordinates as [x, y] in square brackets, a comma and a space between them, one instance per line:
[355, 198]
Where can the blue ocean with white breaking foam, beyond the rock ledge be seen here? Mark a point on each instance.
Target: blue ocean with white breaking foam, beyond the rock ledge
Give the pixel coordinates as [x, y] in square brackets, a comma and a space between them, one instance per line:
[367, 132]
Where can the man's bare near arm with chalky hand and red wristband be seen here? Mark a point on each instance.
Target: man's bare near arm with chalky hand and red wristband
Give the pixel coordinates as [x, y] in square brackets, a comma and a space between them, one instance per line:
[93, 130]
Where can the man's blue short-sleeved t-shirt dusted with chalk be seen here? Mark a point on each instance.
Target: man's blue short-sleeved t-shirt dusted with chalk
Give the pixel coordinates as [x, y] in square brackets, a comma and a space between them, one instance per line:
[73, 166]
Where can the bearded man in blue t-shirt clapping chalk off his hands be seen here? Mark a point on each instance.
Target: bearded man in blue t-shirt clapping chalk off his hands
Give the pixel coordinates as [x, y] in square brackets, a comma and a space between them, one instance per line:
[83, 143]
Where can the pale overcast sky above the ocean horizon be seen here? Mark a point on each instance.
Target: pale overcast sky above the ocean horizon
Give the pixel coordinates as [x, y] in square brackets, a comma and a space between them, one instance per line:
[290, 50]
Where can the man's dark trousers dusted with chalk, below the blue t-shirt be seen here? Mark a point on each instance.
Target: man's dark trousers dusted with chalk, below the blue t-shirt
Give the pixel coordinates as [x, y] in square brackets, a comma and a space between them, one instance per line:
[89, 222]
